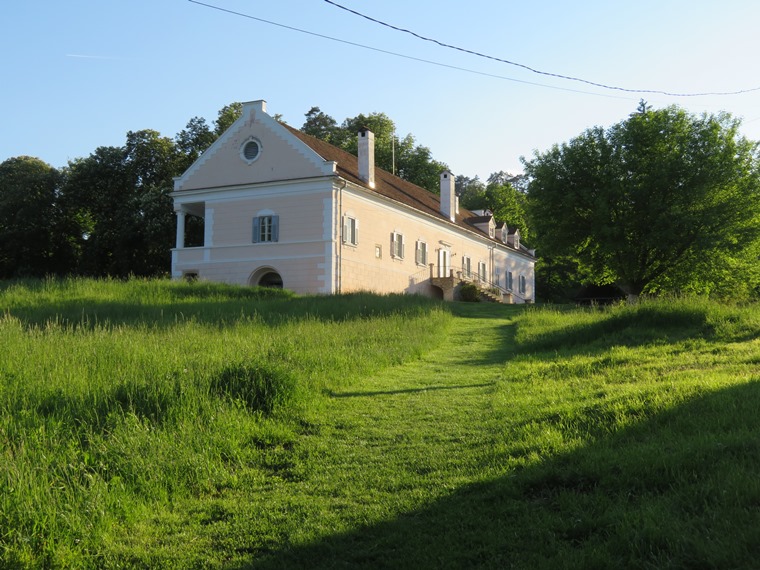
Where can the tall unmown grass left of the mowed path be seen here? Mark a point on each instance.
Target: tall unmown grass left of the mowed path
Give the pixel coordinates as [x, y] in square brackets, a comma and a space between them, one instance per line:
[116, 397]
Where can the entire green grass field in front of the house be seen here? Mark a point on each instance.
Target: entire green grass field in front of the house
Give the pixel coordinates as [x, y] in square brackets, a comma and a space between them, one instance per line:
[152, 424]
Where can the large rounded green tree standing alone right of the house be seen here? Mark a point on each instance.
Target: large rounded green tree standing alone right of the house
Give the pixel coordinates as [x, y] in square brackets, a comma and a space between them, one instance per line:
[654, 203]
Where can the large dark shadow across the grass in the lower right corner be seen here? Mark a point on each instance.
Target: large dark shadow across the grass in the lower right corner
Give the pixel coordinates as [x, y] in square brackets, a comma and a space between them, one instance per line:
[678, 489]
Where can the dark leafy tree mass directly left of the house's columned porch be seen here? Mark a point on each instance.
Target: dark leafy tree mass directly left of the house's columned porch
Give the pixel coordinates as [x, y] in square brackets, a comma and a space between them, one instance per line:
[121, 197]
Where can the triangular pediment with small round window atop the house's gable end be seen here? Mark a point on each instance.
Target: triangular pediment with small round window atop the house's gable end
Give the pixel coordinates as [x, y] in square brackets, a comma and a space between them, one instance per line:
[276, 154]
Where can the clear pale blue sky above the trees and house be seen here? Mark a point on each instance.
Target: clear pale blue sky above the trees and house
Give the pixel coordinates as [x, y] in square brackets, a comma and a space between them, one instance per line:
[80, 74]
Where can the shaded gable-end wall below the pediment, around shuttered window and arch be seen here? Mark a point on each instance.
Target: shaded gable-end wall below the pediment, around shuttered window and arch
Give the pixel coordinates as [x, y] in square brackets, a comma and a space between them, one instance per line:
[302, 255]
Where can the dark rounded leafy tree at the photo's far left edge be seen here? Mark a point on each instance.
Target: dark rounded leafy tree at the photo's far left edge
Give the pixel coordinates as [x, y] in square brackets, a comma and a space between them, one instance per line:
[34, 239]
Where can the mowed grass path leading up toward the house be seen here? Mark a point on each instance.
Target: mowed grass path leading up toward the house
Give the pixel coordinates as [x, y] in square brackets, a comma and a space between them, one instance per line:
[383, 447]
